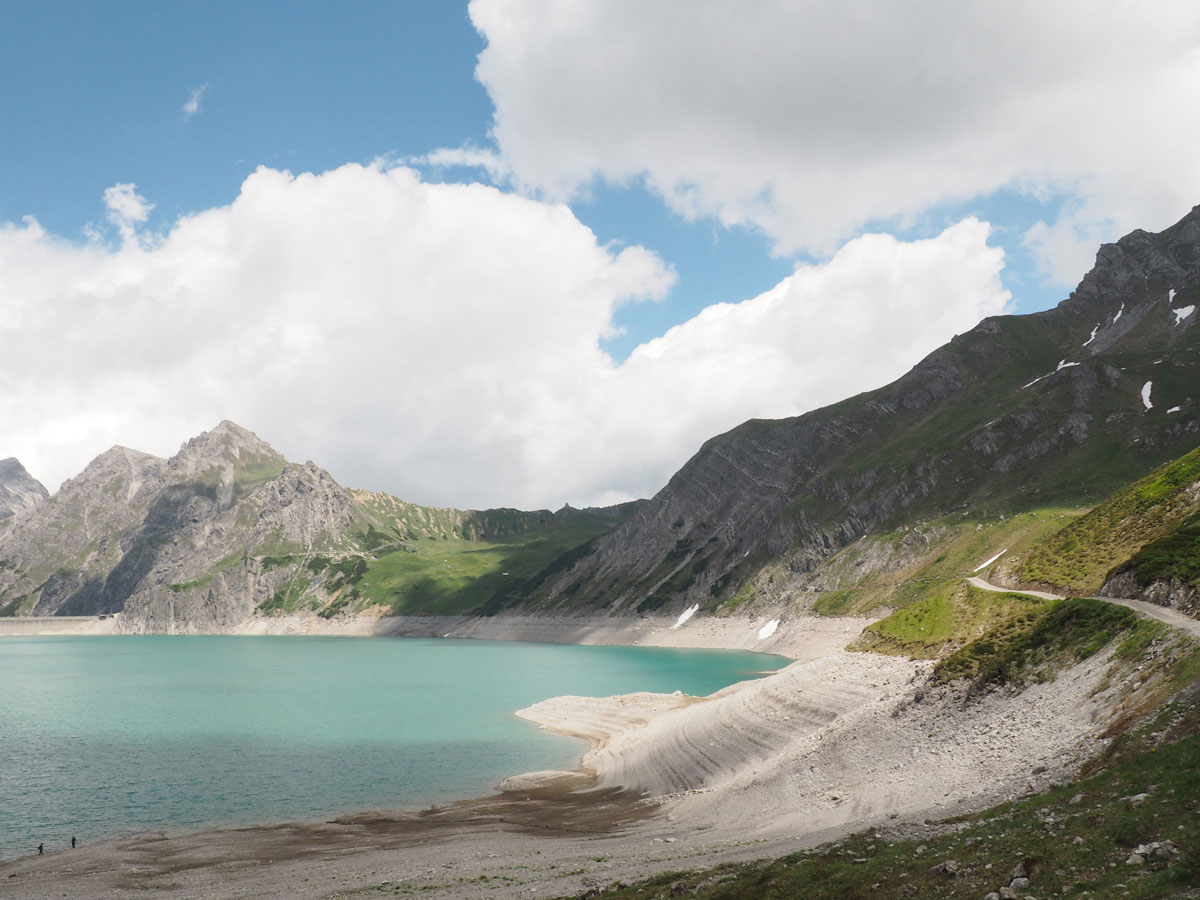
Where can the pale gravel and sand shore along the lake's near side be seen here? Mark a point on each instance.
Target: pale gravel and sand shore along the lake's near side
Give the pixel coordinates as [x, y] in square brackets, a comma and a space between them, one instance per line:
[835, 742]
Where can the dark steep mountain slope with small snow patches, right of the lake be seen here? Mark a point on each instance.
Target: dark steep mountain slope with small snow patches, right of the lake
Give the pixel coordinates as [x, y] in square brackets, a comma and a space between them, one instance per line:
[1023, 412]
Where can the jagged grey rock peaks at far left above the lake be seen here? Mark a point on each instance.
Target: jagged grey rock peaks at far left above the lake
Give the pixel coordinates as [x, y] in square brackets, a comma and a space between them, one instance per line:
[133, 524]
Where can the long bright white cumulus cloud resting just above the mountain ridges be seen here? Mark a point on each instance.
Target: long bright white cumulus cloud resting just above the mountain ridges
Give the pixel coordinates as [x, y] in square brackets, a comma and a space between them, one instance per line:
[442, 343]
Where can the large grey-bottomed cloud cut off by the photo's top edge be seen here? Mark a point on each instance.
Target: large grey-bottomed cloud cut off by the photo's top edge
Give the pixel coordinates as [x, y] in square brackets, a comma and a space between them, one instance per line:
[815, 119]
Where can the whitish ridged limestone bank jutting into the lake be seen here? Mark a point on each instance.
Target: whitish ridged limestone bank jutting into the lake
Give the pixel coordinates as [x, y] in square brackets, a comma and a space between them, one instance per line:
[842, 742]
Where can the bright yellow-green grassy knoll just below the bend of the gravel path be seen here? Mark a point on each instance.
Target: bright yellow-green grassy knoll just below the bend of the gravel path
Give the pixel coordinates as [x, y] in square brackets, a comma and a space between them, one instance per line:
[949, 616]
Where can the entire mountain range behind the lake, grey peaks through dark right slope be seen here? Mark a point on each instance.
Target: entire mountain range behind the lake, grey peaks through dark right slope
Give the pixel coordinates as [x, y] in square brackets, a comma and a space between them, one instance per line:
[1011, 423]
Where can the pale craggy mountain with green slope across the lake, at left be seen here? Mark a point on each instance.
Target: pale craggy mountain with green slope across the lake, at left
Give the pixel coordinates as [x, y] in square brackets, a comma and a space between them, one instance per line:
[229, 530]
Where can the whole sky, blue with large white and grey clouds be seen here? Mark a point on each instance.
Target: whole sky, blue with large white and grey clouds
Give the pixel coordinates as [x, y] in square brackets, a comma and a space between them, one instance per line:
[532, 253]
